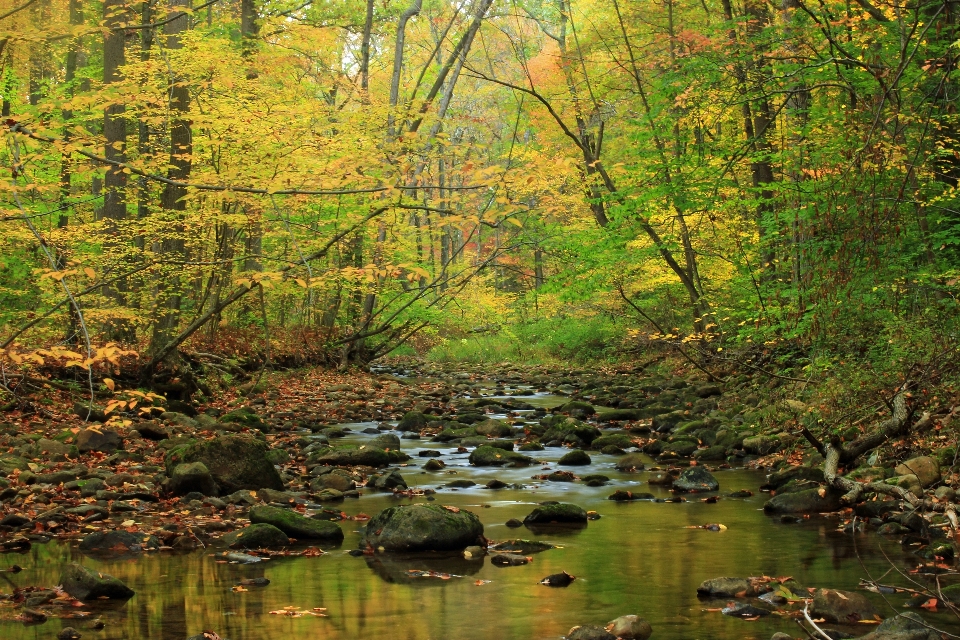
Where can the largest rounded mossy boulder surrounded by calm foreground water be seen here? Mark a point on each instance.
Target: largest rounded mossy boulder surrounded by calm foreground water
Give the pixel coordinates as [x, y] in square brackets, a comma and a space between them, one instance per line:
[421, 527]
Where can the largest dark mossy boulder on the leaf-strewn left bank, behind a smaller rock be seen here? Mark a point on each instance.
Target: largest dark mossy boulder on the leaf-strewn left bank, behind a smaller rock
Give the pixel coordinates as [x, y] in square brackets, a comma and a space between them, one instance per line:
[236, 461]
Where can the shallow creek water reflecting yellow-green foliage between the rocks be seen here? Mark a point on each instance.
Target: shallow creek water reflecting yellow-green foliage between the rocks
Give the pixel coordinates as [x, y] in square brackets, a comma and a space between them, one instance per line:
[638, 558]
